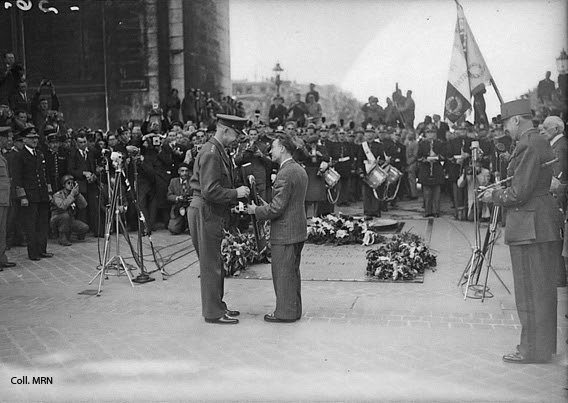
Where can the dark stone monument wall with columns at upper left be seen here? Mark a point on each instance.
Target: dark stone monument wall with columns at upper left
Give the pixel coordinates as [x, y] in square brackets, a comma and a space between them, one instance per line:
[112, 59]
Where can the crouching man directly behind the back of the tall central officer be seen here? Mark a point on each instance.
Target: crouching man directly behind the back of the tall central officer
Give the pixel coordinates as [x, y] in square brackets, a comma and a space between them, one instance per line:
[179, 193]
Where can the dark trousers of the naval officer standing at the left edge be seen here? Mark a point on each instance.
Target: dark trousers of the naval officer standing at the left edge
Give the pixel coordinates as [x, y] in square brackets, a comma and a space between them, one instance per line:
[36, 226]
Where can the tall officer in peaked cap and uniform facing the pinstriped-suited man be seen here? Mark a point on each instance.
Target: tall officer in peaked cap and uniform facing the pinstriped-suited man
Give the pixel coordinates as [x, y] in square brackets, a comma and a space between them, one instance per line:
[213, 193]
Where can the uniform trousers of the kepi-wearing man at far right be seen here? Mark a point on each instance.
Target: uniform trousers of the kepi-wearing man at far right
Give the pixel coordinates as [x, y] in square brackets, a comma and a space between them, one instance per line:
[534, 275]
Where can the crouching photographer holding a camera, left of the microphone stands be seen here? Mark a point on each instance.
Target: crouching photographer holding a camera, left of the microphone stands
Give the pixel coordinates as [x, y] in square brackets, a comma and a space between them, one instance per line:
[66, 202]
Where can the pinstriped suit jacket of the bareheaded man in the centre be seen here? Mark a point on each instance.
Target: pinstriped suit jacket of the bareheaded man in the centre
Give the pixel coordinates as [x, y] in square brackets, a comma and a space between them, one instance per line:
[288, 224]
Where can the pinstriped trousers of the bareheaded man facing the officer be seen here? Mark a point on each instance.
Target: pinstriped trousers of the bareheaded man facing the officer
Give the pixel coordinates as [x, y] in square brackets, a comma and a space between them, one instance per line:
[286, 280]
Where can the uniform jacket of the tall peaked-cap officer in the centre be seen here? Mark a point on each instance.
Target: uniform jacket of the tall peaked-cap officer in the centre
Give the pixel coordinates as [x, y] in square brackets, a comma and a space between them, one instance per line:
[212, 178]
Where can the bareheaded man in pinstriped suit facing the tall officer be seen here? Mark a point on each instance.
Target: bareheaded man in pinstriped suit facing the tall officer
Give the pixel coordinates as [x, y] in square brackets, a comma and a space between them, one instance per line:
[288, 230]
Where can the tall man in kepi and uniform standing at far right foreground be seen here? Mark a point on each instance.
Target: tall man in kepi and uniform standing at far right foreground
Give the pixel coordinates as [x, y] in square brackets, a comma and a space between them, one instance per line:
[532, 232]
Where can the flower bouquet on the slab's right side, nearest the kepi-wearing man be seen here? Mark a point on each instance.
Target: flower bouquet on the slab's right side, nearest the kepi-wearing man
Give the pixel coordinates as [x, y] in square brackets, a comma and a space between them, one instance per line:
[402, 258]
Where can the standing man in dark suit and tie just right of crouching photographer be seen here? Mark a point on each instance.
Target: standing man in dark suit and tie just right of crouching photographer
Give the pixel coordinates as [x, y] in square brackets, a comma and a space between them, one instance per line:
[81, 164]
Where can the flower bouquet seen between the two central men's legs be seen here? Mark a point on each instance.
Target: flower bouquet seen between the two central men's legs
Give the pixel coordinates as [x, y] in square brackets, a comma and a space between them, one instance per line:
[239, 251]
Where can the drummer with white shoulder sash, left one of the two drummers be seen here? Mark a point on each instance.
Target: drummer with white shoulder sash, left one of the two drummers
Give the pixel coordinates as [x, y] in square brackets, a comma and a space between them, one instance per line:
[370, 154]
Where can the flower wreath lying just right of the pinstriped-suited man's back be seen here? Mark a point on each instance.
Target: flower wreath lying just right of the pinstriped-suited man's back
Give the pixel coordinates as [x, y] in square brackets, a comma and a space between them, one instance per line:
[341, 230]
